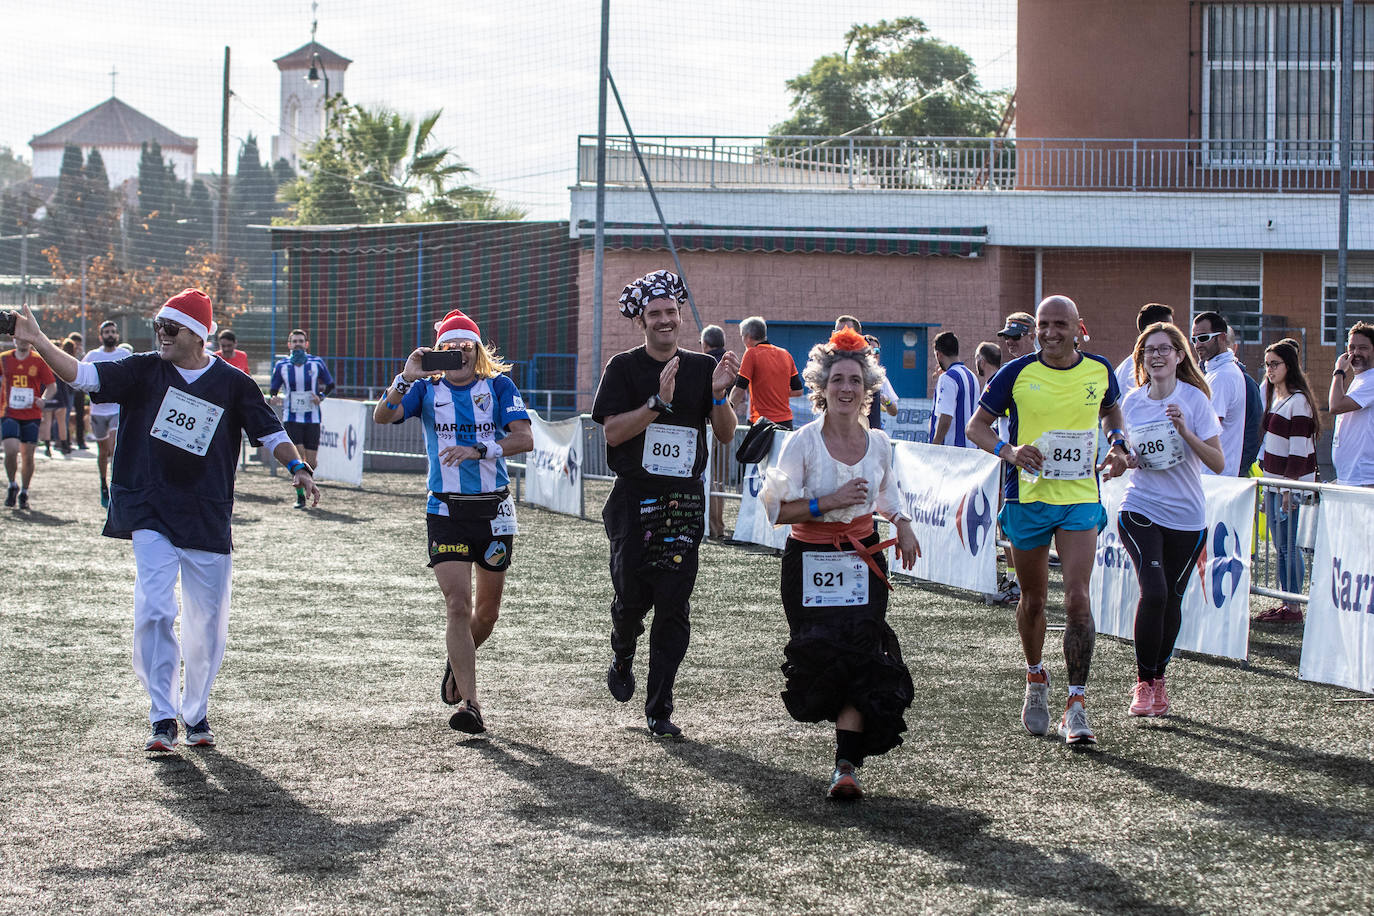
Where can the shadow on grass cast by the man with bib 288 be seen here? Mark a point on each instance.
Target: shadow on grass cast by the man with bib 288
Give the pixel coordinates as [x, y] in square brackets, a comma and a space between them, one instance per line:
[243, 812]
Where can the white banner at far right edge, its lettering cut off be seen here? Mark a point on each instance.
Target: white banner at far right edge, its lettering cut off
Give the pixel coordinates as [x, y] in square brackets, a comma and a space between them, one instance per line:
[1339, 637]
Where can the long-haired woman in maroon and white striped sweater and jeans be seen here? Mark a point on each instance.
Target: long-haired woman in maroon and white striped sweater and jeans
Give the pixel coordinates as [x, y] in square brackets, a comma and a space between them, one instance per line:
[1291, 429]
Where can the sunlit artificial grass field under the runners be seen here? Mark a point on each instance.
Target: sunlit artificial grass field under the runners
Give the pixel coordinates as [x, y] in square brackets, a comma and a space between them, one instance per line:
[339, 786]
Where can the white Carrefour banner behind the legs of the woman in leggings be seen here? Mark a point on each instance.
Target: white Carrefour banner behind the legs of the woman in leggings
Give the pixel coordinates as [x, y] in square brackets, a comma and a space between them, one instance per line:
[1217, 608]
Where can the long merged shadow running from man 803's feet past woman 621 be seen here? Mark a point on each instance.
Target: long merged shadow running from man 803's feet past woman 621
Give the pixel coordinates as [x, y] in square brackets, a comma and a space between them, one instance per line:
[958, 837]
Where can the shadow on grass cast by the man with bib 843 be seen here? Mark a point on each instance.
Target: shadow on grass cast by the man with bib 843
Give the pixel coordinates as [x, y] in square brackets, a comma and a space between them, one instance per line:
[1257, 810]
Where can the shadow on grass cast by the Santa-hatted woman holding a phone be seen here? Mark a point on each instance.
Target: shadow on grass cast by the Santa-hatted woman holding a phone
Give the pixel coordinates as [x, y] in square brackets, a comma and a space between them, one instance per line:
[575, 794]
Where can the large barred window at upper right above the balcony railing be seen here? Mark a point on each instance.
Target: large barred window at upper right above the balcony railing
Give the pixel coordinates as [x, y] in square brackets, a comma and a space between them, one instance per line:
[1272, 89]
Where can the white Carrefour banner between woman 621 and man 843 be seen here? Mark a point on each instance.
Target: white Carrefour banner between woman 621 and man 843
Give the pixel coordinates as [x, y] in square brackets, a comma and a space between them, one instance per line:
[951, 496]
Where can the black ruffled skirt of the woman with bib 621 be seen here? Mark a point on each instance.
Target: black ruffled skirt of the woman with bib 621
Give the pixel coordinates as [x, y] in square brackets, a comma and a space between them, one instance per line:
[844, 657]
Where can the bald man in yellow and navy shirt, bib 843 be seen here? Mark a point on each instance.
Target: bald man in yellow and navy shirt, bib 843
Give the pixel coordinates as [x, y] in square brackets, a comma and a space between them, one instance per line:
[1057, 400]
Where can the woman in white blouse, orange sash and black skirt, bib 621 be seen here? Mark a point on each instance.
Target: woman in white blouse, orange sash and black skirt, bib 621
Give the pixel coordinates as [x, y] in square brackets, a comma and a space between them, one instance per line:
[843, 661]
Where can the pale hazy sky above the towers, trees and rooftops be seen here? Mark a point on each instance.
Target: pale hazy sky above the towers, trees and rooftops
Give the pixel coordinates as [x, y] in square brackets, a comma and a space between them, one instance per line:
[517, 80]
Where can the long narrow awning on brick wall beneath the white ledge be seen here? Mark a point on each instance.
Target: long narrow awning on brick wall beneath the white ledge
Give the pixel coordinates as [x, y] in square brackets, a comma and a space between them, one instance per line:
[965, 242]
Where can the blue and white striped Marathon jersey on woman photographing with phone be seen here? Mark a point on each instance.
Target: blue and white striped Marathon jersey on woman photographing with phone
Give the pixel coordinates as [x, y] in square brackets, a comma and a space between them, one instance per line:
[464, 415]
